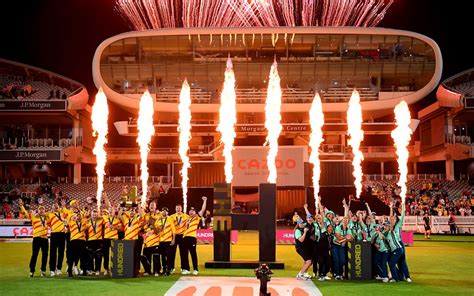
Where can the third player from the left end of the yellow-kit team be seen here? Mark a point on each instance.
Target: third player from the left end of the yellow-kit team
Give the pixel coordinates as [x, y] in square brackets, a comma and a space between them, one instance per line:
[77, 225]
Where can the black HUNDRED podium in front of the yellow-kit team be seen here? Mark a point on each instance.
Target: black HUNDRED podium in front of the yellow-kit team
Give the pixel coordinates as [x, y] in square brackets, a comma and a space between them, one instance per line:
[124, 258]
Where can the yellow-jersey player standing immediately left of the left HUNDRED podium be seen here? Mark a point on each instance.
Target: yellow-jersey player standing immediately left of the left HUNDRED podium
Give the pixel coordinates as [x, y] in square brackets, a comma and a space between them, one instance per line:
[111, 228]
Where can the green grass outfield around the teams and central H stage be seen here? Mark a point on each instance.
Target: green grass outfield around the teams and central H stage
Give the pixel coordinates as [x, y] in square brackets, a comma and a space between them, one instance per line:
[440, 266]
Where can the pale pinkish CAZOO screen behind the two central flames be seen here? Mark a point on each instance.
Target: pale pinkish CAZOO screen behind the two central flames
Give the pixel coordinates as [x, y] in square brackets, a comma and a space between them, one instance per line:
[250, 165]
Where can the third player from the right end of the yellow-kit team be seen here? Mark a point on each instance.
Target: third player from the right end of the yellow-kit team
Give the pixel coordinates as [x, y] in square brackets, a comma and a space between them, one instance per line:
[167, 239]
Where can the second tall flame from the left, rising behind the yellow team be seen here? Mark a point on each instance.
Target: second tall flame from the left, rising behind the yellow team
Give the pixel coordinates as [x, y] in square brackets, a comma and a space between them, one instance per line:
[146, 130]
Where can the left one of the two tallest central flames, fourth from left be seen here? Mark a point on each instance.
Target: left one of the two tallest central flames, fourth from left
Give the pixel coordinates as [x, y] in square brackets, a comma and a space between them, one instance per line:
[228, 118]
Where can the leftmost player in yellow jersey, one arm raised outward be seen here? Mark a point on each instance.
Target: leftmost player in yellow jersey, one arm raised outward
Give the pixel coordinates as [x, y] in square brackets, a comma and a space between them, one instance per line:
[39, 221]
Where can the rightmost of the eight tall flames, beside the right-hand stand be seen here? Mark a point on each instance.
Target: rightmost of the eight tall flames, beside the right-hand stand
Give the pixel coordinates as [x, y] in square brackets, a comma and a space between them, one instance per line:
[401, 136]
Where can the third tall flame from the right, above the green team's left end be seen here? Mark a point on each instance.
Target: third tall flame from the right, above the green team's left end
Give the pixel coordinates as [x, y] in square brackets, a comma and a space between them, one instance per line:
[316, 120]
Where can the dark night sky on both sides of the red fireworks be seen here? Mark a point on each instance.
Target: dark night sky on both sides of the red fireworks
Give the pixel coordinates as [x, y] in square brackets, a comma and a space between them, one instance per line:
[62, 35]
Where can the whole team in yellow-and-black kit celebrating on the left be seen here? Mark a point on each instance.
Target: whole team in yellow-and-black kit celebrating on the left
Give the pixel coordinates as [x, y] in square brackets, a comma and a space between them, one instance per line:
[87, 236]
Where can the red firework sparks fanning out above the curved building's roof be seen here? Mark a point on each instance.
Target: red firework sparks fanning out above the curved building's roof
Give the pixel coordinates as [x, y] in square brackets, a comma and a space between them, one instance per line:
[146, 14]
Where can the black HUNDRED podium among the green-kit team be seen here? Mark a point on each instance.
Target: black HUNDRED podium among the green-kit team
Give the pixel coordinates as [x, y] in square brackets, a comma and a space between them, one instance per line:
[360, 260]
